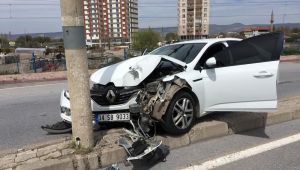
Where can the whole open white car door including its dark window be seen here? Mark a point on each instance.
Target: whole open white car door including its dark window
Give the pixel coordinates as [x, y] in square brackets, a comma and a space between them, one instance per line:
[245, 77]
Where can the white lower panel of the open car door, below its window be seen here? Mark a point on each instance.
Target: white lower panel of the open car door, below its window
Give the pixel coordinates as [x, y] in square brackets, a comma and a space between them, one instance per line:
[241, 88]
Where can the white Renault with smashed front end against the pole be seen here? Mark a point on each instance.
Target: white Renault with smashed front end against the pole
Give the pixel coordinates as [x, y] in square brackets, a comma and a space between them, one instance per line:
[217, 74]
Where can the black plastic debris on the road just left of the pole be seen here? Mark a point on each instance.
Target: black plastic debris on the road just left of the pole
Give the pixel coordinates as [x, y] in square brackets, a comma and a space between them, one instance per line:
[58, 128]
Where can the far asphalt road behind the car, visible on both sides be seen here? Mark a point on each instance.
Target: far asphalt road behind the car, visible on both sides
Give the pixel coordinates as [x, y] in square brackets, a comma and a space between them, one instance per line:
[25, 107]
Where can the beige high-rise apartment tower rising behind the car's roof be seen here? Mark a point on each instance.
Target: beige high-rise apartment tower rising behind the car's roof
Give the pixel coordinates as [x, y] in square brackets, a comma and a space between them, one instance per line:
[193, 19]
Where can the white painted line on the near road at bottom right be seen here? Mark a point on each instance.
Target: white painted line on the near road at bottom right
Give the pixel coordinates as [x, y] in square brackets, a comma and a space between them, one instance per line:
[211, 164]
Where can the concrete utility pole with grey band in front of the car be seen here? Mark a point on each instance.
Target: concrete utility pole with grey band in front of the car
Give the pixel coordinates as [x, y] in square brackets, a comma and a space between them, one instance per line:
[77, 66]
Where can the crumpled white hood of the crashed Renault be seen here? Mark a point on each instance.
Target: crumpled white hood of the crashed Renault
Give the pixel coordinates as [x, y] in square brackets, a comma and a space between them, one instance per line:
[130, 72]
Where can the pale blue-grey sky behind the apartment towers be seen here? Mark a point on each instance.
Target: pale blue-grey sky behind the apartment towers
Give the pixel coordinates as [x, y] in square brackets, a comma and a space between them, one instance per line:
[152, 13]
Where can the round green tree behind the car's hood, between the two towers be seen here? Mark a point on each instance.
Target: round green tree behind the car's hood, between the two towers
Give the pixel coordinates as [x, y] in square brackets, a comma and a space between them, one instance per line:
[145, 40]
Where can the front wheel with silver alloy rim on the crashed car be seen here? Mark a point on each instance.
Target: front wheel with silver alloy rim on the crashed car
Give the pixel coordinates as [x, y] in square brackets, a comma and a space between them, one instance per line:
[180, 114]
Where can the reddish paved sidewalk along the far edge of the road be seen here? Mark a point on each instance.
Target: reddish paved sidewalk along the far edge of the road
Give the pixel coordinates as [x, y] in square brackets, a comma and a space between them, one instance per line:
[61, 75]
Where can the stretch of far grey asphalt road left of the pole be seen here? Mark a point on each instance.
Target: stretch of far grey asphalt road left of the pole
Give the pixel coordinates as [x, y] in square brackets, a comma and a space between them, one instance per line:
[24, 109]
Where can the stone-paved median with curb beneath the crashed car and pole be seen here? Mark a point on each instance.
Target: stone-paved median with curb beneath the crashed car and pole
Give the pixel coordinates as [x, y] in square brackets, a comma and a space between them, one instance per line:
[107, 152]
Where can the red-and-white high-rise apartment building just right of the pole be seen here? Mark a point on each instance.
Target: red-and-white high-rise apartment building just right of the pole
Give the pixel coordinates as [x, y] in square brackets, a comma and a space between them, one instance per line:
[110, 22]
